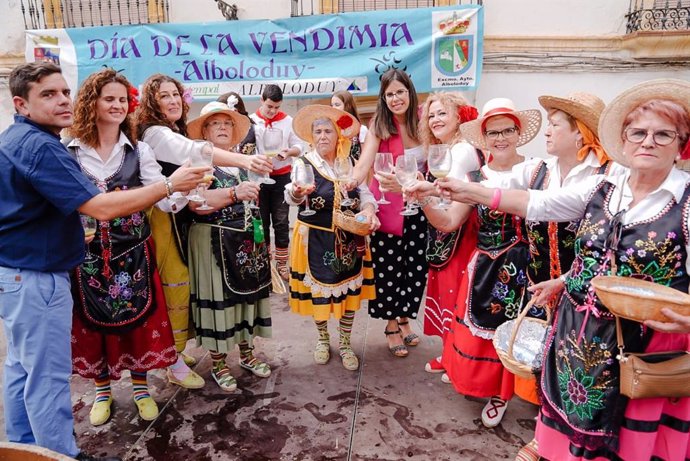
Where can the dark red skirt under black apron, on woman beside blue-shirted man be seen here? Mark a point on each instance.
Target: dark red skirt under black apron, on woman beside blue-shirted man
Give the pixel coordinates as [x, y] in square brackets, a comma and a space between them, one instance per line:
[146, 347]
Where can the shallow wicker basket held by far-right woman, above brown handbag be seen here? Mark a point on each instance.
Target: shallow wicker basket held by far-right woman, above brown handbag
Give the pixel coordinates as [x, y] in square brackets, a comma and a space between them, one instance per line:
[639, 300]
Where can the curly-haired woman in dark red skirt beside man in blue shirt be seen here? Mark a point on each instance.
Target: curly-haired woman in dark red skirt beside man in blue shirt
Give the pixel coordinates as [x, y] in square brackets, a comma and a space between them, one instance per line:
[120, 320]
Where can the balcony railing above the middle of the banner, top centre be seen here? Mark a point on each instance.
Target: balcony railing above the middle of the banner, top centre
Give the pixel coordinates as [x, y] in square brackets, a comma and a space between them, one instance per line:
[311, 7]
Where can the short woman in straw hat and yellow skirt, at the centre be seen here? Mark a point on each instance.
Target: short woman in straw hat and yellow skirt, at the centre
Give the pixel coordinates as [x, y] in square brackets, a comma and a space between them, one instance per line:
[330, 269]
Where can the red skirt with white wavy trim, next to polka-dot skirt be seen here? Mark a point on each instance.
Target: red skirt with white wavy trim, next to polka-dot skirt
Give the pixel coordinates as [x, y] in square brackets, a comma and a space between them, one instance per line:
[442, 284]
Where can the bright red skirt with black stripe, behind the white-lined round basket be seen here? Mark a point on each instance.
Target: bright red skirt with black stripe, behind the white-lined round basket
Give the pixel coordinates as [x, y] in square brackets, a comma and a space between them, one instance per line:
[470, 361]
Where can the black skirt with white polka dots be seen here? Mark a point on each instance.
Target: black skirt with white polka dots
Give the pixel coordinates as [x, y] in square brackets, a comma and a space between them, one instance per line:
[400, 270]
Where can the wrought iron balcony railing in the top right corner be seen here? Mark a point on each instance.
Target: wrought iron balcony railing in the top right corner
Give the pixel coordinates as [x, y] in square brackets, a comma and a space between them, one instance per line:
[658, 15]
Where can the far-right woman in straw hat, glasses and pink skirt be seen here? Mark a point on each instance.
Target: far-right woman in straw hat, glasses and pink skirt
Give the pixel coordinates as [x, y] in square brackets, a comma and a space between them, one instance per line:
[640, 219]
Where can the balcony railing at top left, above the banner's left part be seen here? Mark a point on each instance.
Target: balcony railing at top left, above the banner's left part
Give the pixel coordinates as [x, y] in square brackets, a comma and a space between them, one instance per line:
[49, 14]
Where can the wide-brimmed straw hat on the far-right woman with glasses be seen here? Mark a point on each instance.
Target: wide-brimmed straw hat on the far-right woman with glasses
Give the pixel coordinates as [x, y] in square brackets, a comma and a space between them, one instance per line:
[613, 117]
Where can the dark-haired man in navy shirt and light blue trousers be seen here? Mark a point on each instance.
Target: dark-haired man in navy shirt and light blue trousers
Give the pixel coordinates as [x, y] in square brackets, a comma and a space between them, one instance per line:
[42, 192]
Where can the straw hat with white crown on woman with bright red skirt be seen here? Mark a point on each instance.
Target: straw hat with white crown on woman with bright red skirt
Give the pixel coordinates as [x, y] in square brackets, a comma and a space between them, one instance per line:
[530, 122]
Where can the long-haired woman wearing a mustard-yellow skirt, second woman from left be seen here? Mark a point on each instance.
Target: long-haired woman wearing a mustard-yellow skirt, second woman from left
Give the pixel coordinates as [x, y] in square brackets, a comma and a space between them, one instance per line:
[162, 124]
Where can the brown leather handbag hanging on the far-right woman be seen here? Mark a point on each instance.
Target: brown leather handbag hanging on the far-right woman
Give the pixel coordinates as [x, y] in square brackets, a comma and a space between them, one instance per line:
[658, 374]
